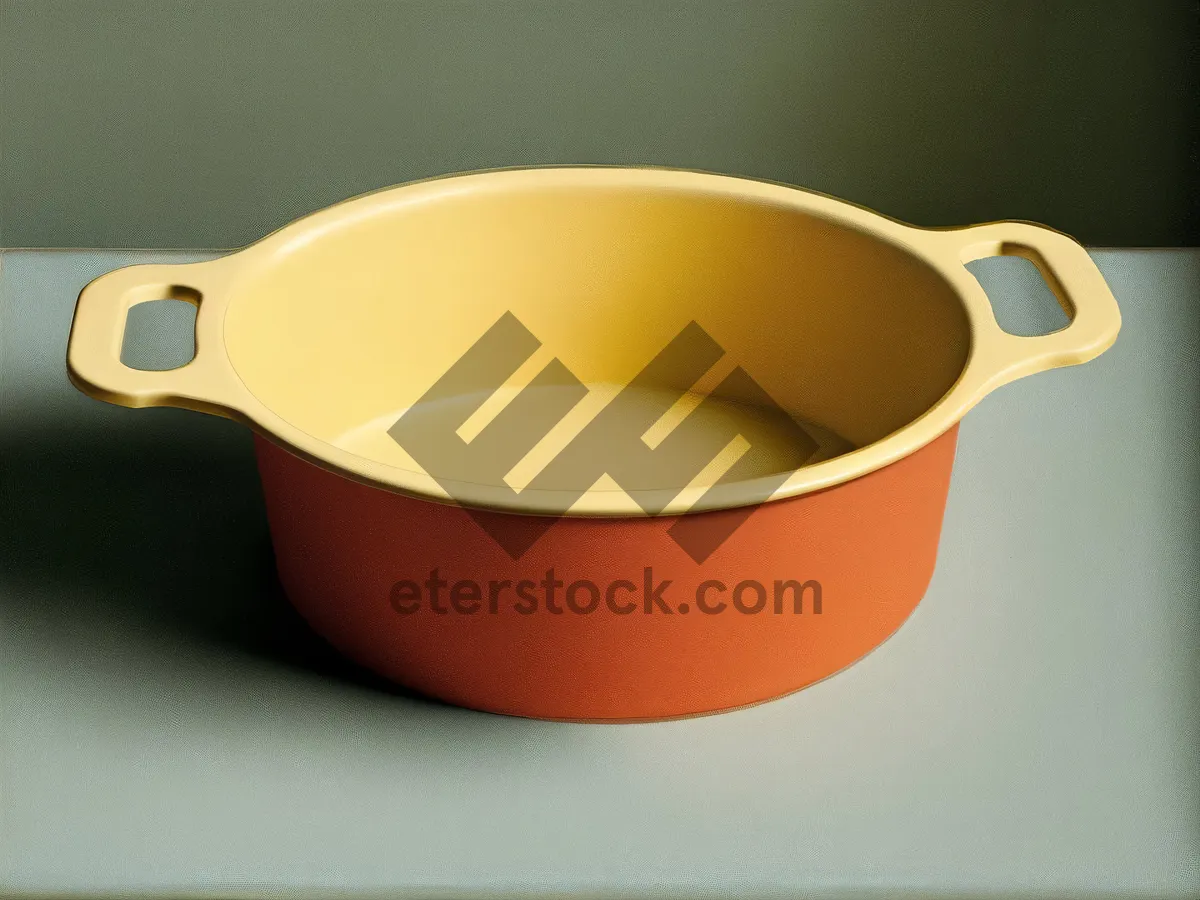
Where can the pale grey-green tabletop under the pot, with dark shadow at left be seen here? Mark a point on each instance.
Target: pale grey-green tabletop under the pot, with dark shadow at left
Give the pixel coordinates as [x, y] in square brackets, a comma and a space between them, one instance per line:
[167, 725]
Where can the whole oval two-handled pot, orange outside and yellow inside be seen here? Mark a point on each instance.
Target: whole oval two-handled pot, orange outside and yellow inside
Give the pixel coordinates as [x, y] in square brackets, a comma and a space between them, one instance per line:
[599, 443]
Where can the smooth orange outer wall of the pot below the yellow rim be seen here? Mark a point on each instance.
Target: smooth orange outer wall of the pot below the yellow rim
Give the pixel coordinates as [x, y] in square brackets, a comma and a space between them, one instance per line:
[871, 544]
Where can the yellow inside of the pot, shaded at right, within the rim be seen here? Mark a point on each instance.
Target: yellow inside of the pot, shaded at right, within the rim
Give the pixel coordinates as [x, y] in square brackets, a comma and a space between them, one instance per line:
[341, 328]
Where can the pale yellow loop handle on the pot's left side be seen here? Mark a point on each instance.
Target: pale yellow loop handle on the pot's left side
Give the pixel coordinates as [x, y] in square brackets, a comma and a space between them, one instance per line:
[207, 383]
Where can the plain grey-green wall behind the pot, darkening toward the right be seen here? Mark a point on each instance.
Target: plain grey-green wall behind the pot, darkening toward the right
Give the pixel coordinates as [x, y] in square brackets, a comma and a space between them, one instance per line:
[135, 124]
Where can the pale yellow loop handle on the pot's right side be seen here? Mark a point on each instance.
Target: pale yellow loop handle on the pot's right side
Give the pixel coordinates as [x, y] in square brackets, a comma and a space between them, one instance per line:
[1077, 284]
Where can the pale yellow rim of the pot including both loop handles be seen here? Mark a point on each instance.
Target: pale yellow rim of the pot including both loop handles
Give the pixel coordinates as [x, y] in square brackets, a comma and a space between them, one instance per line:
[211, 385]
